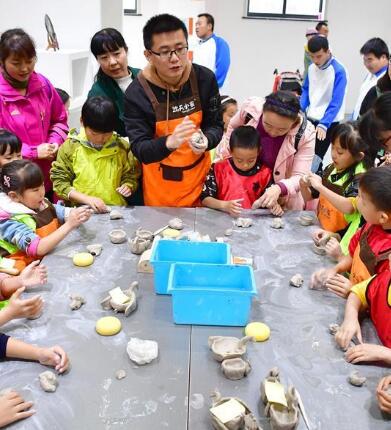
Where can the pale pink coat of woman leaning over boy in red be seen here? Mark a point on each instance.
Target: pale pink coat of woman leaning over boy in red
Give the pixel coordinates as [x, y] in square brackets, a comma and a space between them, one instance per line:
[290, 165]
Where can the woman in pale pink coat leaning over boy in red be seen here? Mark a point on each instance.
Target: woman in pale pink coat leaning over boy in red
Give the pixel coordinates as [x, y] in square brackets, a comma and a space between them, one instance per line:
[287, 141]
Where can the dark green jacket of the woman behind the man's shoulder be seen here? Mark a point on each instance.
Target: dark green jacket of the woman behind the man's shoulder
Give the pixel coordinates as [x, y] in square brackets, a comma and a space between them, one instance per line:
[108, 87]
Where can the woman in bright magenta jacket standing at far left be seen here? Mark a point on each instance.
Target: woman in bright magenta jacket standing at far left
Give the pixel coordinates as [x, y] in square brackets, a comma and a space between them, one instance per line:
[29, 105]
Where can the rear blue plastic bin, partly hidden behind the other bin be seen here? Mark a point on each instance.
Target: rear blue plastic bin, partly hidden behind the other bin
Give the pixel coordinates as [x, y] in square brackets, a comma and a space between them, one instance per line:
[167, 252]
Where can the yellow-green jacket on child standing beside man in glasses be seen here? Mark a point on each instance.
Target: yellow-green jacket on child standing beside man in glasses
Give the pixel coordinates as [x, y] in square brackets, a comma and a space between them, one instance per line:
[95, 172]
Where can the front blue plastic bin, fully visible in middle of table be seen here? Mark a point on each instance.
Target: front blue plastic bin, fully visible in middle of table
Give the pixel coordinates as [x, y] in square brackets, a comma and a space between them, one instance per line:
[211, 294]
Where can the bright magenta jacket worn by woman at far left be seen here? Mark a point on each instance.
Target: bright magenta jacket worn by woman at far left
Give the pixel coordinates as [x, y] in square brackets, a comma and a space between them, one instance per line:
[38, 117]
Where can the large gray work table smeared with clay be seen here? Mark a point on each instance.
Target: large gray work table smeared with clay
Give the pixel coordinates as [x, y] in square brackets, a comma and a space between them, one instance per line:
[173, 392]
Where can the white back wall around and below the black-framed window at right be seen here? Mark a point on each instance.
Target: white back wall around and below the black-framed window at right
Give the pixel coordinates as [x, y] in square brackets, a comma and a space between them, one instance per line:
[259, 46]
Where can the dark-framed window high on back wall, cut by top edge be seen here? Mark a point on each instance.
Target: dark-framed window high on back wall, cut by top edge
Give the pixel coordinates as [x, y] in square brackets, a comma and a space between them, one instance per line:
[286, 9]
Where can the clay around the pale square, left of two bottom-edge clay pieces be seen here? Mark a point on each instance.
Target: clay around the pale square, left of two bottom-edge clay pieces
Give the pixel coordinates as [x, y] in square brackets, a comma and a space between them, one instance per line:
[245, 420]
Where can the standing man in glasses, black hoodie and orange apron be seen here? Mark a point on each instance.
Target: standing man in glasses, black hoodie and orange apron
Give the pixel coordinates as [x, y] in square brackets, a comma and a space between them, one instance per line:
[172, 116]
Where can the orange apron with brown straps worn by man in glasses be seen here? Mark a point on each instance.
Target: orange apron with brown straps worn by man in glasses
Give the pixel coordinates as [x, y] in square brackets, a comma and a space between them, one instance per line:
[178, 179]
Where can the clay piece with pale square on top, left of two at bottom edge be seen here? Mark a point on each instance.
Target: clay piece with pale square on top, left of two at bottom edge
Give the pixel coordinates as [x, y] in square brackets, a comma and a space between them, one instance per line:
[231, 413]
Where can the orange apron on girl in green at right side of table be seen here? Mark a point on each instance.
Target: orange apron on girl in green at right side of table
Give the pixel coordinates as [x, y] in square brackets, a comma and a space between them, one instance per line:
[330, 218]
